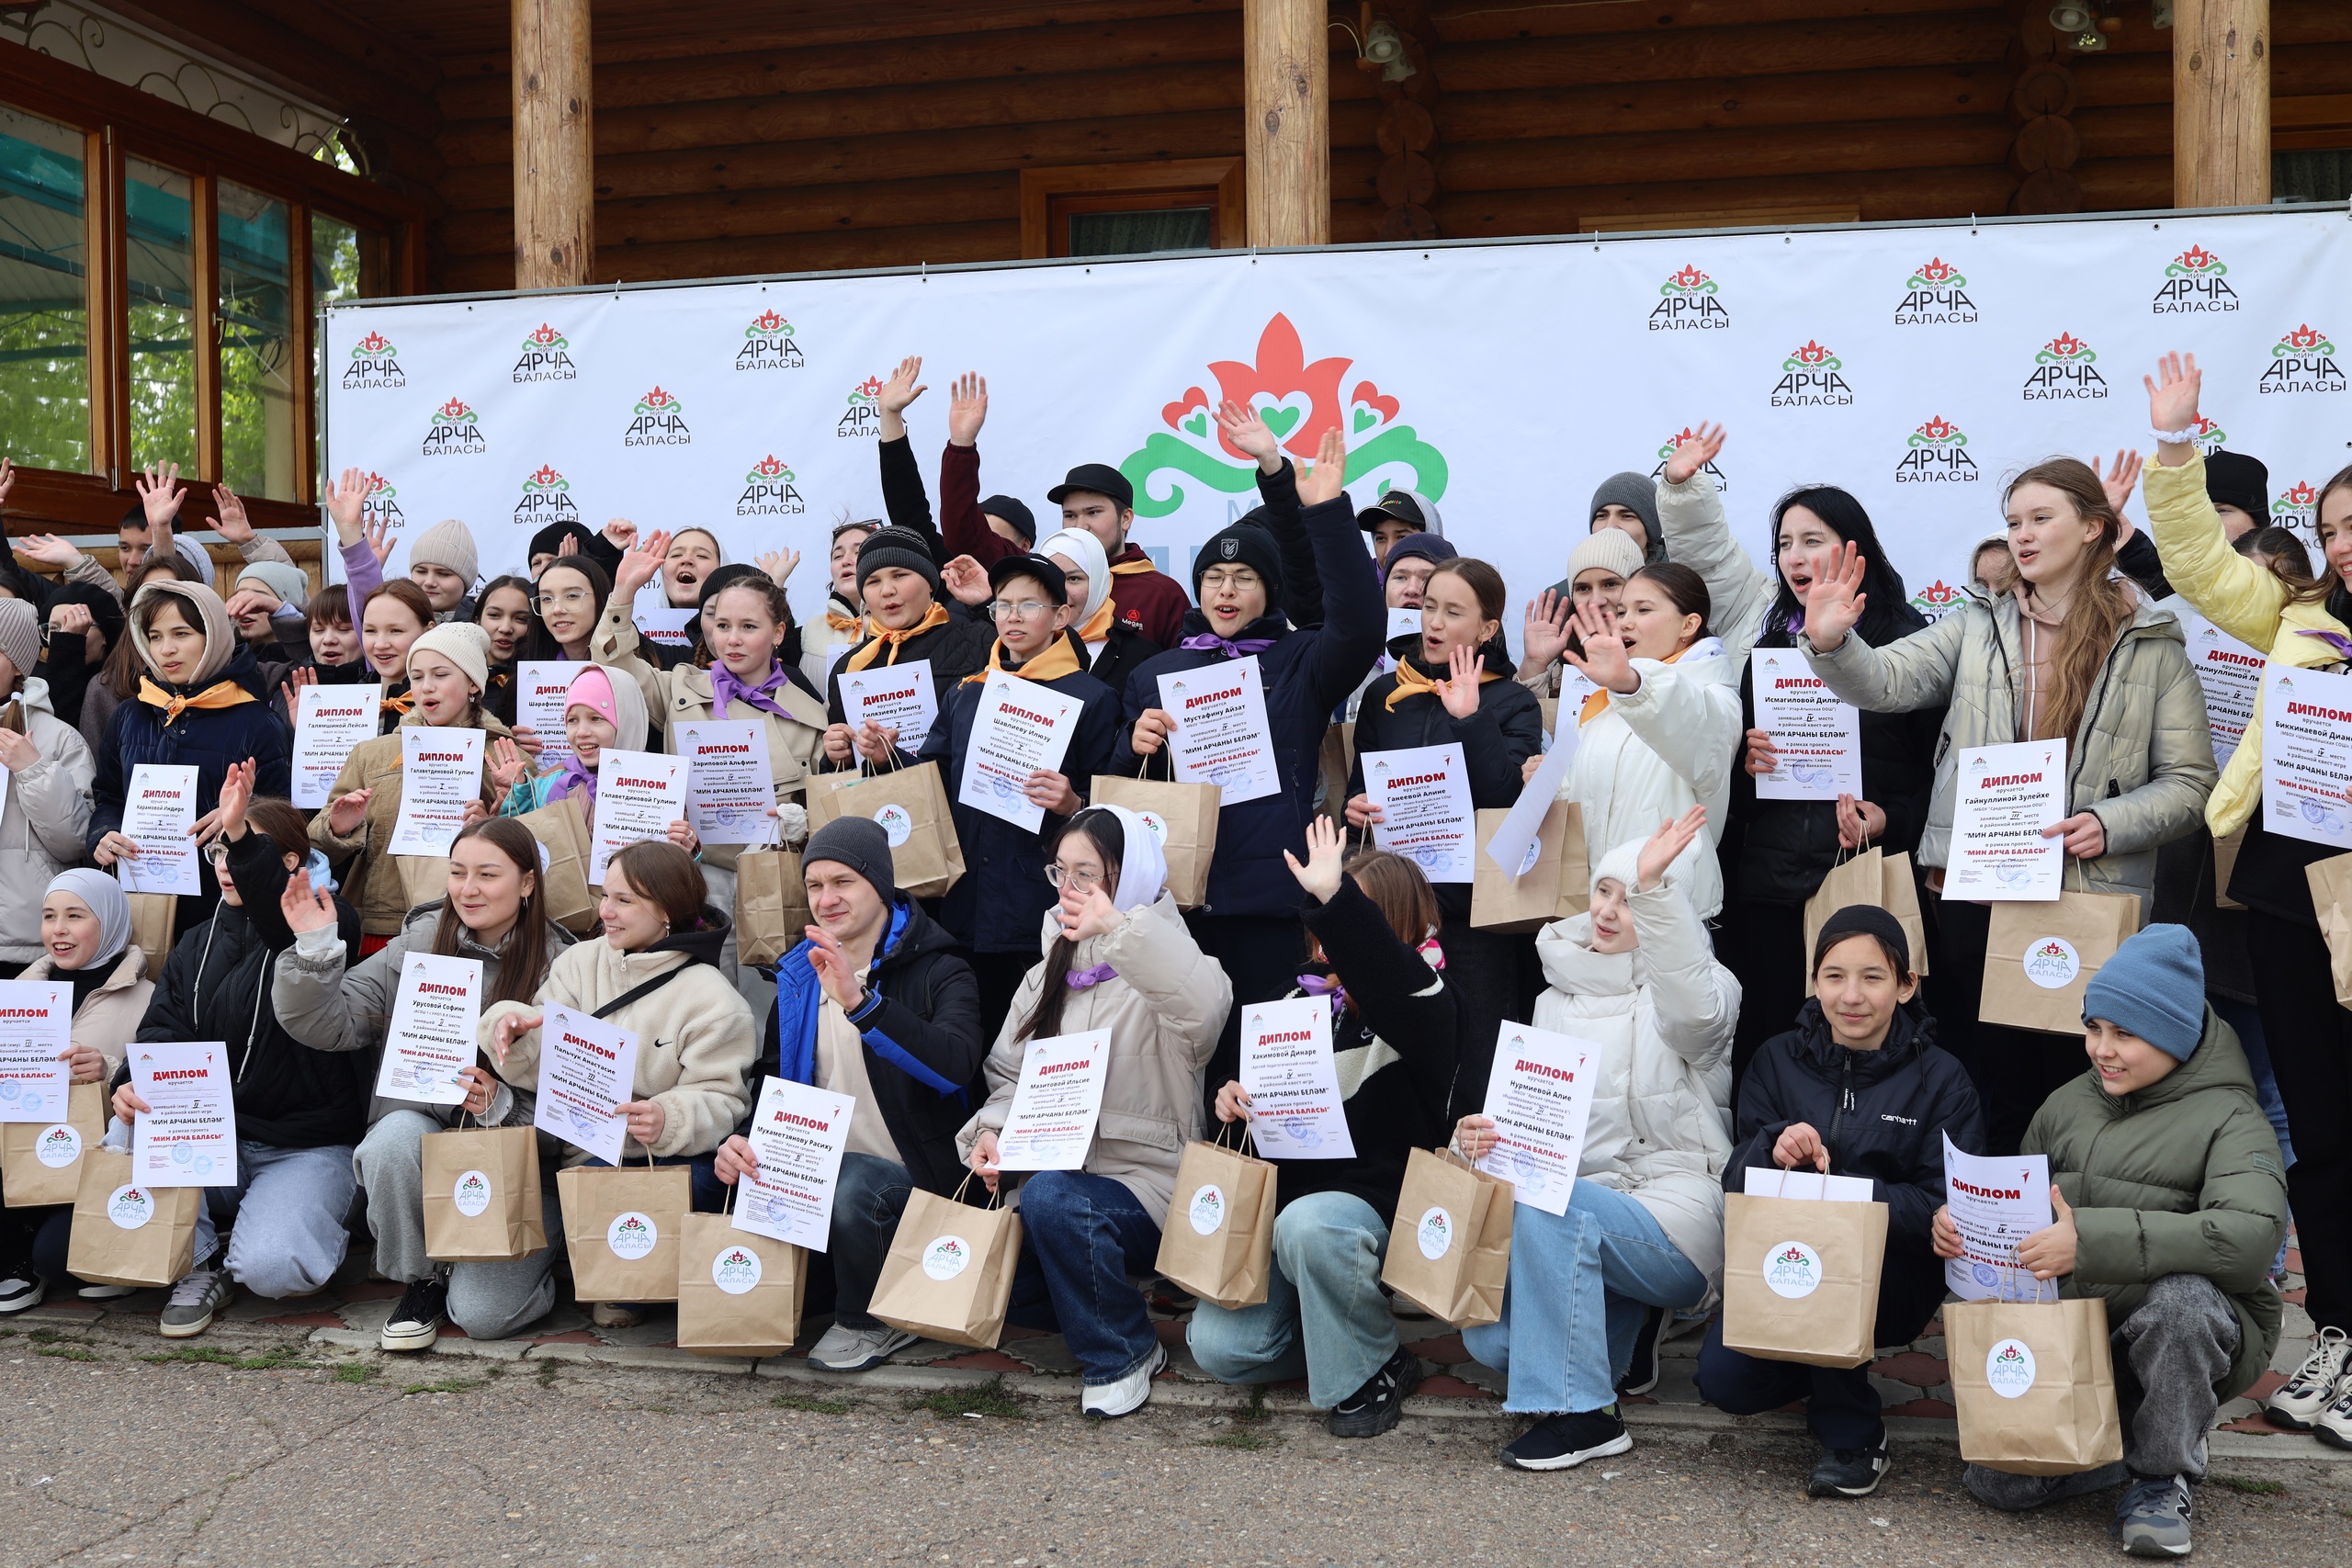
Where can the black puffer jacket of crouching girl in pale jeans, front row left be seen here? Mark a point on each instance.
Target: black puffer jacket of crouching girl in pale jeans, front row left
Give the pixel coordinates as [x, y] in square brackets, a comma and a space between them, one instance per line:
[218, 986]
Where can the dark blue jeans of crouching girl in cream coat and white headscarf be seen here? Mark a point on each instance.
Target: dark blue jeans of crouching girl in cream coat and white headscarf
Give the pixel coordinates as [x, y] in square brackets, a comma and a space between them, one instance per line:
[1083, 1245]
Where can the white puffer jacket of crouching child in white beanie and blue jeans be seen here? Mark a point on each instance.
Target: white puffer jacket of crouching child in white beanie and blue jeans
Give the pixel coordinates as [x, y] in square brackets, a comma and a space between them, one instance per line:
[1664, 1017]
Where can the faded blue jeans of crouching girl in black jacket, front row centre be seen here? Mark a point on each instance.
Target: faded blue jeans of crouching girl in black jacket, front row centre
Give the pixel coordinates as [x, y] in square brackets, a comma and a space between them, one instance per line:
[1323, 1315]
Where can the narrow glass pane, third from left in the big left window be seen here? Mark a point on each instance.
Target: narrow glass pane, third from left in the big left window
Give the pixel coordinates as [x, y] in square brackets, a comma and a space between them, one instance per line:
[258, 375]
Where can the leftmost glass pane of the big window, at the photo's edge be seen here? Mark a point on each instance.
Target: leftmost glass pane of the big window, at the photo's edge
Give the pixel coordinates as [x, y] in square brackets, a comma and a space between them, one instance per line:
[44, 297]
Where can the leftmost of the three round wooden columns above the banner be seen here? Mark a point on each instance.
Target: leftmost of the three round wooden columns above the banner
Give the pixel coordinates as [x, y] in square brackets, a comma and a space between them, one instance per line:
[554, 147]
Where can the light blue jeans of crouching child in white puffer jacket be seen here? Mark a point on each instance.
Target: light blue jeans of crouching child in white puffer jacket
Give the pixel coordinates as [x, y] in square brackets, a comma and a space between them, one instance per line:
[1575, 1304]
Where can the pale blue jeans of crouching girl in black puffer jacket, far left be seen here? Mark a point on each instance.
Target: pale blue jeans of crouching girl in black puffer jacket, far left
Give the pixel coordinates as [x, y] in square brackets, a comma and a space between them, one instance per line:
[288, 1217]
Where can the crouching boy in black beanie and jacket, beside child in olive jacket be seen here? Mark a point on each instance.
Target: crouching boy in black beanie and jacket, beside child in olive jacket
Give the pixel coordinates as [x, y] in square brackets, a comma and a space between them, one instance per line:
[1857, 1090]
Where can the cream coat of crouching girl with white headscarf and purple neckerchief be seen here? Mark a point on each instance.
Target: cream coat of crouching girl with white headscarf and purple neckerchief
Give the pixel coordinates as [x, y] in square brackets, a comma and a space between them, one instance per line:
[1165, 1010]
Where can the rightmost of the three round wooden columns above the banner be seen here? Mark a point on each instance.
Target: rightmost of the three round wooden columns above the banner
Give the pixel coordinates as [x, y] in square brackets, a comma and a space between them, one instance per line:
[2221, 102]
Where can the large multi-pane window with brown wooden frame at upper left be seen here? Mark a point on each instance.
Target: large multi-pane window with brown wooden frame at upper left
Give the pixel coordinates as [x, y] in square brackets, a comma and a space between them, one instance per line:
[159, 288]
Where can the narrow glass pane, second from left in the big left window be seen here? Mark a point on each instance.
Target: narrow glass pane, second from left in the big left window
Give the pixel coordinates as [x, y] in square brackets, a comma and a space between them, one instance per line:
[163, 314]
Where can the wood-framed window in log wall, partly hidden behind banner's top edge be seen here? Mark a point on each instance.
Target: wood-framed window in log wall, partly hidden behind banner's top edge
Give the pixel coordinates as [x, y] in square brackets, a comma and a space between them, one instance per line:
[1132, 208]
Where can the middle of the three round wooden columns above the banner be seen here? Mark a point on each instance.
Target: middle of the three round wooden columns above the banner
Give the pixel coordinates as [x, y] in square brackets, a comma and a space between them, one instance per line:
[1288, 140]
